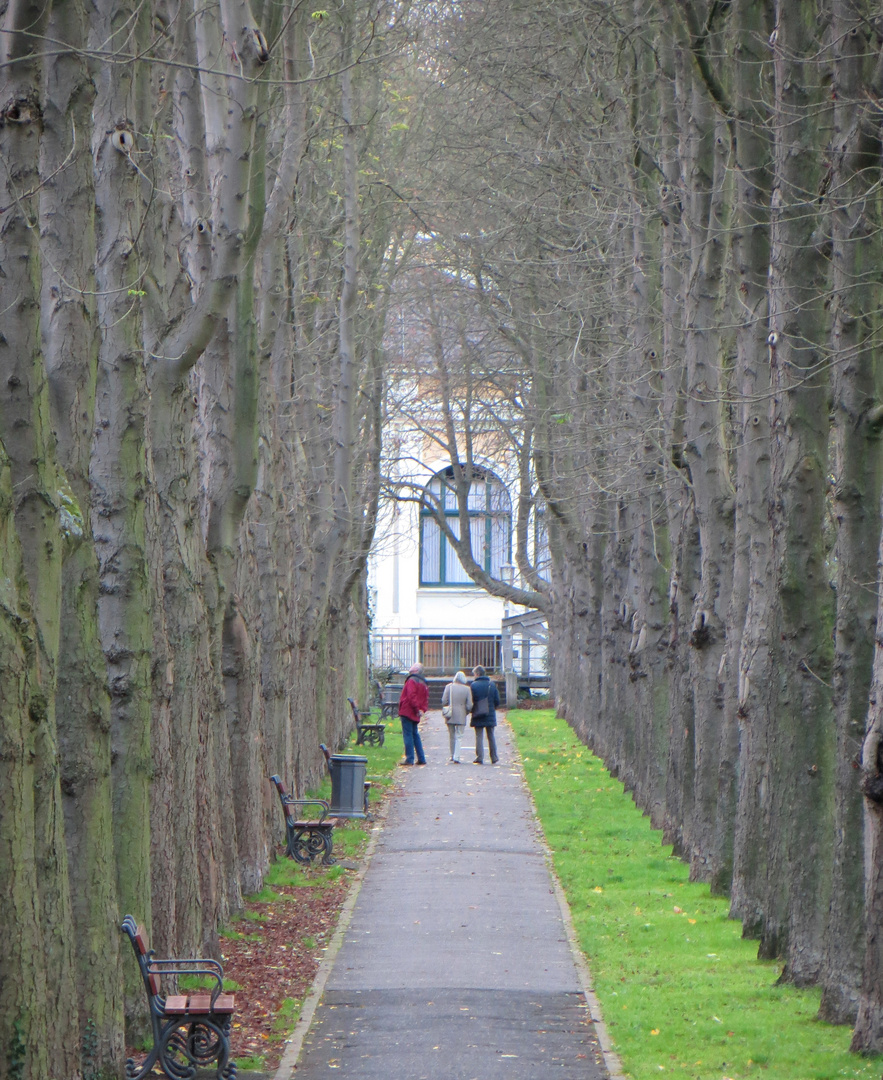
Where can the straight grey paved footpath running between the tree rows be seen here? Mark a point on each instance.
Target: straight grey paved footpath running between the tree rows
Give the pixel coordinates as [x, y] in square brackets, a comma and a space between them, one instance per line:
[456, 964]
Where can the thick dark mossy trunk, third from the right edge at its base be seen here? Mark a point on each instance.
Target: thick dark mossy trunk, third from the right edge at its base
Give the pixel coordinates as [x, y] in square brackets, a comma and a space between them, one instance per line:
[803, 752]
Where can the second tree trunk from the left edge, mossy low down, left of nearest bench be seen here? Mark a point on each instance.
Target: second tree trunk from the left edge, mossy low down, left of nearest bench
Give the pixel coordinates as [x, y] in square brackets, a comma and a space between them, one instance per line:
[69, 310]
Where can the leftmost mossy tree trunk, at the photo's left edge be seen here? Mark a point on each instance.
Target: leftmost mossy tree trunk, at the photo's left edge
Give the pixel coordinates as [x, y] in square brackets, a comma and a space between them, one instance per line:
[37, 484]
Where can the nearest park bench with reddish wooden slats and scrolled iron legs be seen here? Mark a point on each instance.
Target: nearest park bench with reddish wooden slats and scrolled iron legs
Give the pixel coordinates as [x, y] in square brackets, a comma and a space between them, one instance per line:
[191, 1031]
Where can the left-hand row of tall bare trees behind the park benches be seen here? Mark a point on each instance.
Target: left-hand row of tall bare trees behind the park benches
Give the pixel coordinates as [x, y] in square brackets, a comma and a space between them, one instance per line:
[194, 237]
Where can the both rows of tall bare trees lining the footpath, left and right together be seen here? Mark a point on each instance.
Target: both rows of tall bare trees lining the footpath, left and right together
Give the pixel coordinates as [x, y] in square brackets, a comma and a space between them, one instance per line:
[637, 250]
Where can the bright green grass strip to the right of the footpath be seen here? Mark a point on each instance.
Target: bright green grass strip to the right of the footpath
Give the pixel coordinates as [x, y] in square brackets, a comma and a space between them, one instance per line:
[683, 994]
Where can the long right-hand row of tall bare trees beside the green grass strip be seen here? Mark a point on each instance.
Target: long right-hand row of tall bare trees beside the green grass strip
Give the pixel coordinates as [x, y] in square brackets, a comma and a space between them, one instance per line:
[671, 215]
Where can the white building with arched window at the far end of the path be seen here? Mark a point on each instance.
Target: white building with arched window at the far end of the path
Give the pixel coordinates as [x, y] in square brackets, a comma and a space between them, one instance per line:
[449, 398]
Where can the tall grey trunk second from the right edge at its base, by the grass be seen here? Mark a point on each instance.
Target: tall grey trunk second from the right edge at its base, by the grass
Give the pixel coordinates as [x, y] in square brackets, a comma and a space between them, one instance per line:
[857, 468]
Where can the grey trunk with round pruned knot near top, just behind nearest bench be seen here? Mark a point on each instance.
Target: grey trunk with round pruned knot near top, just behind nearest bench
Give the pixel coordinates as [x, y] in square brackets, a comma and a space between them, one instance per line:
[123, 507]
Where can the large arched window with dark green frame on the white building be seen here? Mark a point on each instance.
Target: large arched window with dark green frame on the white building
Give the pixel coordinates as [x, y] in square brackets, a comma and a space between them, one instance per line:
[491, 529]
